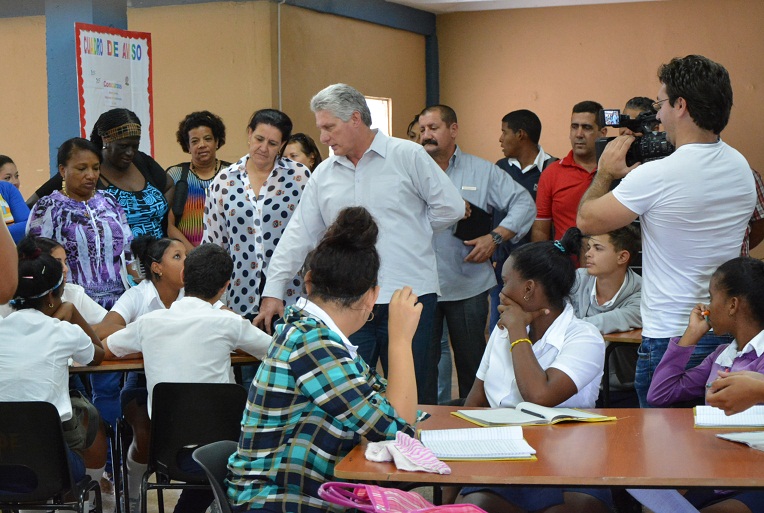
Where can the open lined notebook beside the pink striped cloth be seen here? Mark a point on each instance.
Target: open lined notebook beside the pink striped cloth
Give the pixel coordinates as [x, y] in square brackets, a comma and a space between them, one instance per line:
[472, 444]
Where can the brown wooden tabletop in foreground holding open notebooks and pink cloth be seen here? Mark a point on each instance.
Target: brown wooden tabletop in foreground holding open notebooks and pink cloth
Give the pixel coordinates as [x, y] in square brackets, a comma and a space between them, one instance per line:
[644, 448]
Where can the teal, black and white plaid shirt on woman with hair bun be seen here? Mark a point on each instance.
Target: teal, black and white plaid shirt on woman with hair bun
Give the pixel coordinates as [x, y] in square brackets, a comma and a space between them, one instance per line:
[307, 406]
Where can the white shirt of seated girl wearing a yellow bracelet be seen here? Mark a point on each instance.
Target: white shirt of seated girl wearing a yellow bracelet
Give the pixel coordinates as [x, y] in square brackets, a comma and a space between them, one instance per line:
[570, 345]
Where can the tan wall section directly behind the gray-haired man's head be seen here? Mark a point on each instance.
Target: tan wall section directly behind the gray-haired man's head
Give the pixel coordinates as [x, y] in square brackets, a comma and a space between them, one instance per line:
[320, 49]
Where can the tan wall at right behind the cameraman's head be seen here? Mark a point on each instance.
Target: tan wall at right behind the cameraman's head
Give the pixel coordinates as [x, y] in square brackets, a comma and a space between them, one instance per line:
[548, 59]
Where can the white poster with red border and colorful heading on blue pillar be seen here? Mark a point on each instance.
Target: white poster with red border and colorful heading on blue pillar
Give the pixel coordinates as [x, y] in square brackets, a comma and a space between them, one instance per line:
[114, 71]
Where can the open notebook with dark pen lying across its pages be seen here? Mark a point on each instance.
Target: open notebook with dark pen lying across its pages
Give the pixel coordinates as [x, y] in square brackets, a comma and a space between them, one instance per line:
[528, 414]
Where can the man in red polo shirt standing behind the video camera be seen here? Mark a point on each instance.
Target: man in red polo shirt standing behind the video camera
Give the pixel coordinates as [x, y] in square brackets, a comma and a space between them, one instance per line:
[563, 183]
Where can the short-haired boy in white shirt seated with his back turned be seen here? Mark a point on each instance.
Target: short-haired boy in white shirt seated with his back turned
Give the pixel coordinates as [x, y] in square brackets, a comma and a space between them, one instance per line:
[191, 341]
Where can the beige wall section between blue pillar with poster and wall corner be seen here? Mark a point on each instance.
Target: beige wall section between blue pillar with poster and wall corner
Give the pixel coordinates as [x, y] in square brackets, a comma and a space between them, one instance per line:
[227, 72]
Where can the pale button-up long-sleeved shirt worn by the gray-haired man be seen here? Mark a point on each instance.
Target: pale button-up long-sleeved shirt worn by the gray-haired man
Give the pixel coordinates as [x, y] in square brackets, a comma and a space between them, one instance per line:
[406, 192]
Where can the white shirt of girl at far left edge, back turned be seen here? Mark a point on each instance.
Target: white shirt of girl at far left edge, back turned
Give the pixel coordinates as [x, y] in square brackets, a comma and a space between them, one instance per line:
[34, 355]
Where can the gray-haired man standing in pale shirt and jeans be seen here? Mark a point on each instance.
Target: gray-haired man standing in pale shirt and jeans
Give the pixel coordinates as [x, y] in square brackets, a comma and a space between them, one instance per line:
[409, 197]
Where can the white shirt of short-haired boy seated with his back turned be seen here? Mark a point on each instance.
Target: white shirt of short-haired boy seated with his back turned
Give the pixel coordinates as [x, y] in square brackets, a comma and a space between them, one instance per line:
[190, 342]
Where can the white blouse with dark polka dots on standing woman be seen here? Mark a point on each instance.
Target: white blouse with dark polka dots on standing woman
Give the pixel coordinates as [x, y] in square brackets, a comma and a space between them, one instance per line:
[250, 232]
